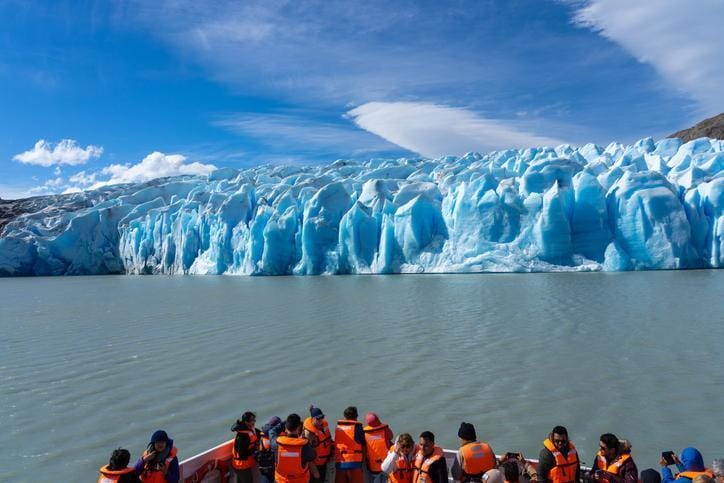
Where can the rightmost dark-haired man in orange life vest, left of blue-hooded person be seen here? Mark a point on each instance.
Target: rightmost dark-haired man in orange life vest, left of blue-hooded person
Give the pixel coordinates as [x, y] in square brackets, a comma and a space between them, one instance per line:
[613, 462]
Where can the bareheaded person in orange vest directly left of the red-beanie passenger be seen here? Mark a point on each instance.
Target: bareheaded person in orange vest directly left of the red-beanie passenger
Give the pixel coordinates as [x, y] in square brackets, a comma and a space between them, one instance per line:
[349, 443]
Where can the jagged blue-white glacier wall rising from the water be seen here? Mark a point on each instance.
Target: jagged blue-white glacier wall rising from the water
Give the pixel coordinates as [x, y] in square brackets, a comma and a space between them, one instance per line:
[650, 205]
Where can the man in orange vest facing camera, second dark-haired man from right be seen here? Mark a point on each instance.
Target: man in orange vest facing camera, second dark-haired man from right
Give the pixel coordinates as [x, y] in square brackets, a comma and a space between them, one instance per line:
[558, 460]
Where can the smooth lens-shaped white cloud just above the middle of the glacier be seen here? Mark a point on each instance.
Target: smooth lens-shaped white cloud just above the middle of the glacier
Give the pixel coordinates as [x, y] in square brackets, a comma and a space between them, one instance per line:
[435, 130]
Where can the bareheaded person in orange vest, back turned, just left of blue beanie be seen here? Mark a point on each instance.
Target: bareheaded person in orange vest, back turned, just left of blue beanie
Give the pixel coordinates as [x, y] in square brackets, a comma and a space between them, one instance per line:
[294, 456]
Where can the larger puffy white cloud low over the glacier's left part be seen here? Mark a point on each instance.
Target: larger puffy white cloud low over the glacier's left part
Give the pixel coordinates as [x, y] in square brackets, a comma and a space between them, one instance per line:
[155, 165]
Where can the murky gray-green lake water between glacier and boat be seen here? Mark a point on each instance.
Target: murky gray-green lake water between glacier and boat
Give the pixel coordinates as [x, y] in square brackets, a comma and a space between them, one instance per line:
[92, 363]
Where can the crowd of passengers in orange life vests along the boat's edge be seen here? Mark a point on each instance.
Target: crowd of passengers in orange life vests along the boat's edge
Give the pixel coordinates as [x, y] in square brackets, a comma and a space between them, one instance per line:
[297, 450]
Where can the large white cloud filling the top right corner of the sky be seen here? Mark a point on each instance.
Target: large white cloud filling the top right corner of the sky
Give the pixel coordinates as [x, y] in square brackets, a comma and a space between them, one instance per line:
[681, 40]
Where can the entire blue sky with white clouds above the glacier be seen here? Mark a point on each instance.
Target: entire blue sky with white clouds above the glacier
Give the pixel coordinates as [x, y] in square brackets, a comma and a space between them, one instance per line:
[95, 92]
